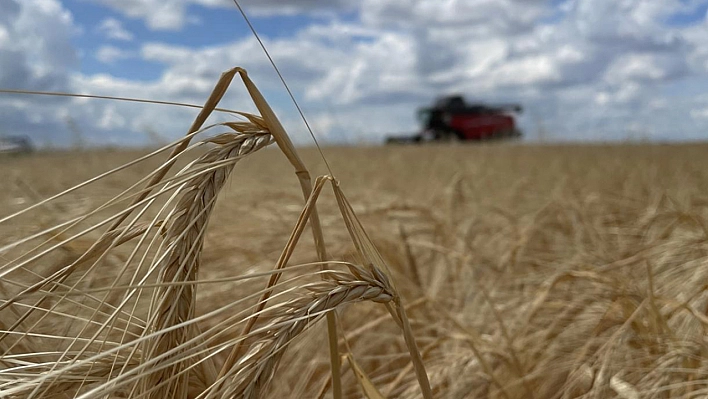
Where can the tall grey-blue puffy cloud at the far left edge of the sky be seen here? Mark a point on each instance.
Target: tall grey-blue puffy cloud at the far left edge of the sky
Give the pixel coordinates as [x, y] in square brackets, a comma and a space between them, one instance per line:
[35, 54]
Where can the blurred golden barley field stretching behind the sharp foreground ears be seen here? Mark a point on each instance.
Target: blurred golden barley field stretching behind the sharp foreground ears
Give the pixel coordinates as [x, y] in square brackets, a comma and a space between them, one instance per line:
[526, 271]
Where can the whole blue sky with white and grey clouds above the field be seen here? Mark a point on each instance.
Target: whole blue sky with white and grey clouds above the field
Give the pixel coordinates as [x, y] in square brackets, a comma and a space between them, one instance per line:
[585, 70]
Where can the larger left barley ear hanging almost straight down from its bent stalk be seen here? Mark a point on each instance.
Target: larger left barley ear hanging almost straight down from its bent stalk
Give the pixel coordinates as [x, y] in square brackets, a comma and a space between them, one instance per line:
[184, 237]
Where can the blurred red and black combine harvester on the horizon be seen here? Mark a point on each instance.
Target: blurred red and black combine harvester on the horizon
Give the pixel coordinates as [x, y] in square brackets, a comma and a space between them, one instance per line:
[451, 119]
